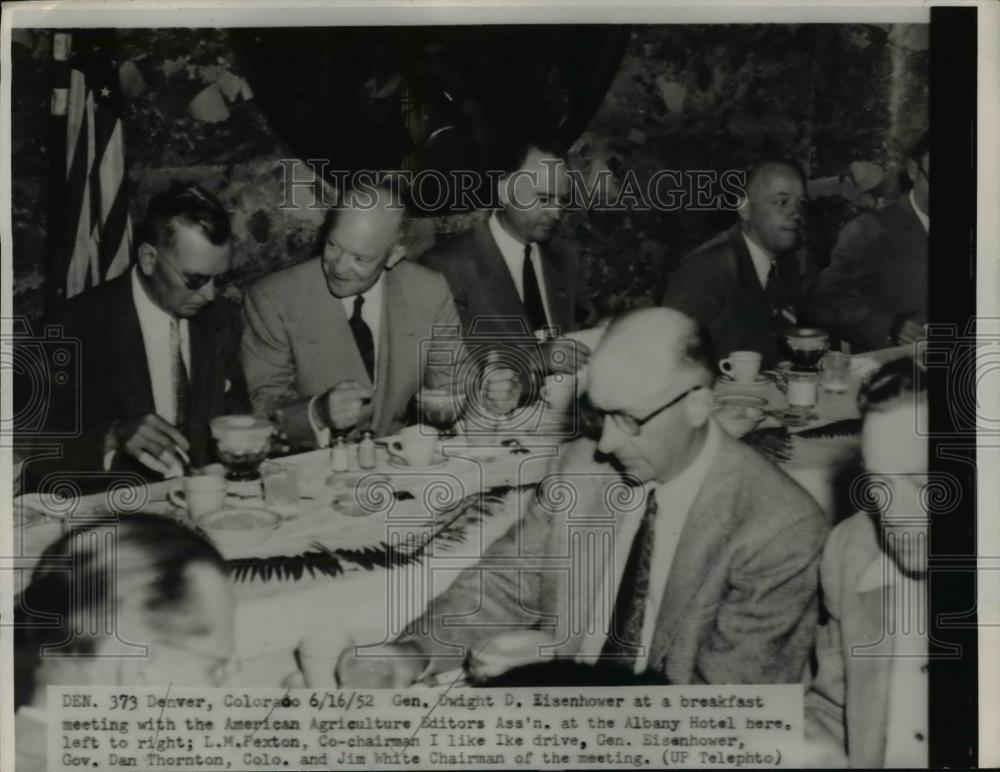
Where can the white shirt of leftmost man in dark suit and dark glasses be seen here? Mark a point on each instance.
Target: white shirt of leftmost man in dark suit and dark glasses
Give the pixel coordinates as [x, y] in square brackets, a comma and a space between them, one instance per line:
[155, 325]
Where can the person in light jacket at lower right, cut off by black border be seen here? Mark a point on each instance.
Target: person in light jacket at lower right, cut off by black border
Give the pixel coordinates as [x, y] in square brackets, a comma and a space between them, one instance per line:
[868, 703]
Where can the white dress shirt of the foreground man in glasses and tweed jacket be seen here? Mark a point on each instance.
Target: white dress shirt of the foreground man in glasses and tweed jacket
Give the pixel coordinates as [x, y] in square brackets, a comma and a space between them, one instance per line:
[674, 499]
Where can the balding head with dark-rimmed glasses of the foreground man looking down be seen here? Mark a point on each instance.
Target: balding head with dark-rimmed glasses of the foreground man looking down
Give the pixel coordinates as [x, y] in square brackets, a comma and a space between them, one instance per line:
[645, 360]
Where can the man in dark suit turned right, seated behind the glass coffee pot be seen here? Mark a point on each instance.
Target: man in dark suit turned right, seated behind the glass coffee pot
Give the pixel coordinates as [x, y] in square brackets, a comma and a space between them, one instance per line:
[744, 285]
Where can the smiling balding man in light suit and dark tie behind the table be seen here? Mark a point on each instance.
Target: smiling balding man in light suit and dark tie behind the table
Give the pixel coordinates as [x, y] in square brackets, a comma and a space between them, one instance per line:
[339, 344]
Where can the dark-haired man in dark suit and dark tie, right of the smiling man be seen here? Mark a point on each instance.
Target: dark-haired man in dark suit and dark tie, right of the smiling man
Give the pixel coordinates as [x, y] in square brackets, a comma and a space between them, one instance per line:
[508, 275]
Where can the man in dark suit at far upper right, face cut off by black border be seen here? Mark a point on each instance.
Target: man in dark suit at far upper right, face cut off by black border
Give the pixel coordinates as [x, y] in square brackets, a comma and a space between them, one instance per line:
[874, 292]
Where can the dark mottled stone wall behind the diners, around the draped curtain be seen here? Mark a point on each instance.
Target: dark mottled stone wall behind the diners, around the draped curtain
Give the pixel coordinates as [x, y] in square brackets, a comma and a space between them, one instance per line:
[844, 100]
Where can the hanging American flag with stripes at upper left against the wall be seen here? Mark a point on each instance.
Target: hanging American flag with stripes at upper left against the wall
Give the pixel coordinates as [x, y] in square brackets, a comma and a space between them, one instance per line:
[93, 232]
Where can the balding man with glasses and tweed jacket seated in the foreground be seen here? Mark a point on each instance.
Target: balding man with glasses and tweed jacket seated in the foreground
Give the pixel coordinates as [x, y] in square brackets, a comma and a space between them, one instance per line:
[714, 551]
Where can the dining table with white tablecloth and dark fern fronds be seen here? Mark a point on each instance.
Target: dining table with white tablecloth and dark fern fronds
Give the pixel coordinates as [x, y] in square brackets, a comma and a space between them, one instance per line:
[365, 550]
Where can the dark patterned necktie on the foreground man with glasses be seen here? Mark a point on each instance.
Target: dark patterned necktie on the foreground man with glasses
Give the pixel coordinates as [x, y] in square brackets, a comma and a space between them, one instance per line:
[625, 630]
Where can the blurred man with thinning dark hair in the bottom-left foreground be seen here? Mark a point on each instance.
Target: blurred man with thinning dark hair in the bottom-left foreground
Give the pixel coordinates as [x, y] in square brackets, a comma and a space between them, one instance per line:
[168, 592]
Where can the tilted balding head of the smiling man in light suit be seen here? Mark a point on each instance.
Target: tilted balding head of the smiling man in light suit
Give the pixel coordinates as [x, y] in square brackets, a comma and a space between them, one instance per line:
[361, 239]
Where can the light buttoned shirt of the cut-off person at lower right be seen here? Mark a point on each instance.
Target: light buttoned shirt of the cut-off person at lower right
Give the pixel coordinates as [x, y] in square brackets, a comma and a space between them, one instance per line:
[907, 621]
